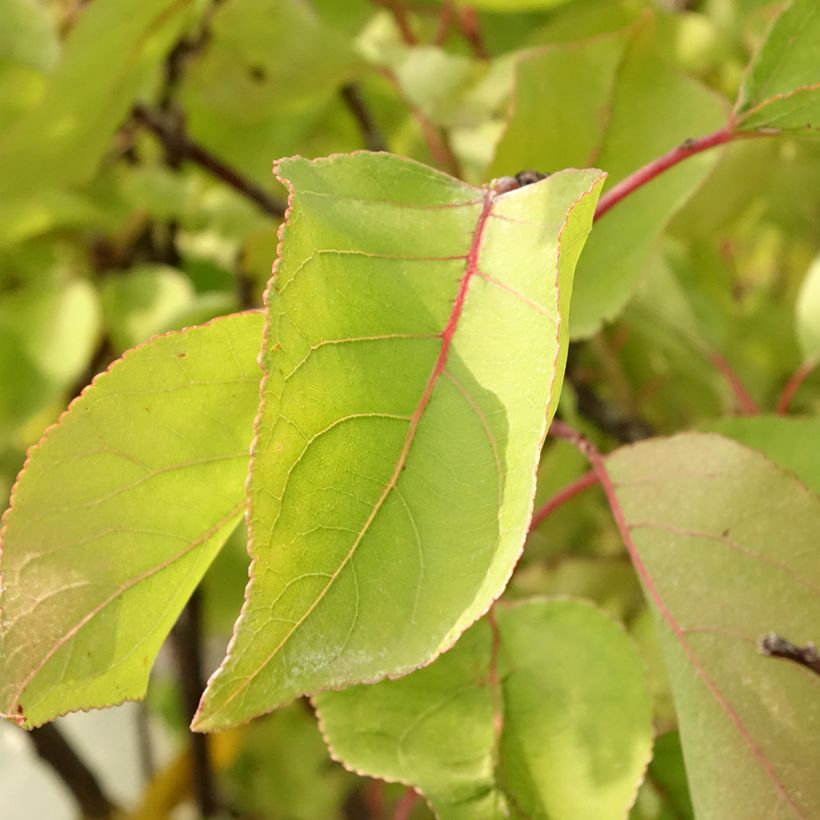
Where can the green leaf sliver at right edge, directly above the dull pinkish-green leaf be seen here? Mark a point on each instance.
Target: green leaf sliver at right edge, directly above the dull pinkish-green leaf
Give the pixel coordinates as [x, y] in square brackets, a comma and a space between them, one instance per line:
[788, 441]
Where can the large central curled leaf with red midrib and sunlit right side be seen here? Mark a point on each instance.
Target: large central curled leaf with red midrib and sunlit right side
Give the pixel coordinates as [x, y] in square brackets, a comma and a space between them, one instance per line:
[415, 349]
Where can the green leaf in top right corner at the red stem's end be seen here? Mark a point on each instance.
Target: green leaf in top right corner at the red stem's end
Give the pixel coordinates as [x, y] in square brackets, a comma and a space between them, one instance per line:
[782, 86]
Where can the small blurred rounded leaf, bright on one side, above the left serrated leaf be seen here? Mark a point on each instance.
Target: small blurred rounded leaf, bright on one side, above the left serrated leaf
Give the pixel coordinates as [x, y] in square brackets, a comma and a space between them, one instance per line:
[143, 301]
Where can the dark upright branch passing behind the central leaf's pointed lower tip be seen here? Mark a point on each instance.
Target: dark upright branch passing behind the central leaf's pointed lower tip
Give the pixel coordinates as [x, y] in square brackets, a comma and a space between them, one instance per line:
[187, 638]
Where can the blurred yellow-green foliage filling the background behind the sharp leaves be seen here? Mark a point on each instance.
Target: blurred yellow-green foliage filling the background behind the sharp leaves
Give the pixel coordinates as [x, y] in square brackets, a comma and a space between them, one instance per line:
[136, 197]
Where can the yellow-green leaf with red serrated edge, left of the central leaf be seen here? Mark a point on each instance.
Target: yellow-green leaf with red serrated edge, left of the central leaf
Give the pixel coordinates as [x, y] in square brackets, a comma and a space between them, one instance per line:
[117, 515]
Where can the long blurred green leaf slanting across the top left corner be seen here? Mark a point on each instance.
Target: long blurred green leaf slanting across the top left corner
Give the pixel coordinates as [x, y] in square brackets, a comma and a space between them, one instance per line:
[104, 65]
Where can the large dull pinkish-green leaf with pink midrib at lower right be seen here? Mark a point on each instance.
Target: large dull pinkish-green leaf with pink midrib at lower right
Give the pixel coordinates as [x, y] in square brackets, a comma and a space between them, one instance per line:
[727, 546]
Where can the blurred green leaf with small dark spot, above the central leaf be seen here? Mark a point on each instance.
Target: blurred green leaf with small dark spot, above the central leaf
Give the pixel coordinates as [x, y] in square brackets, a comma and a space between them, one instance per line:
[266, 85]
